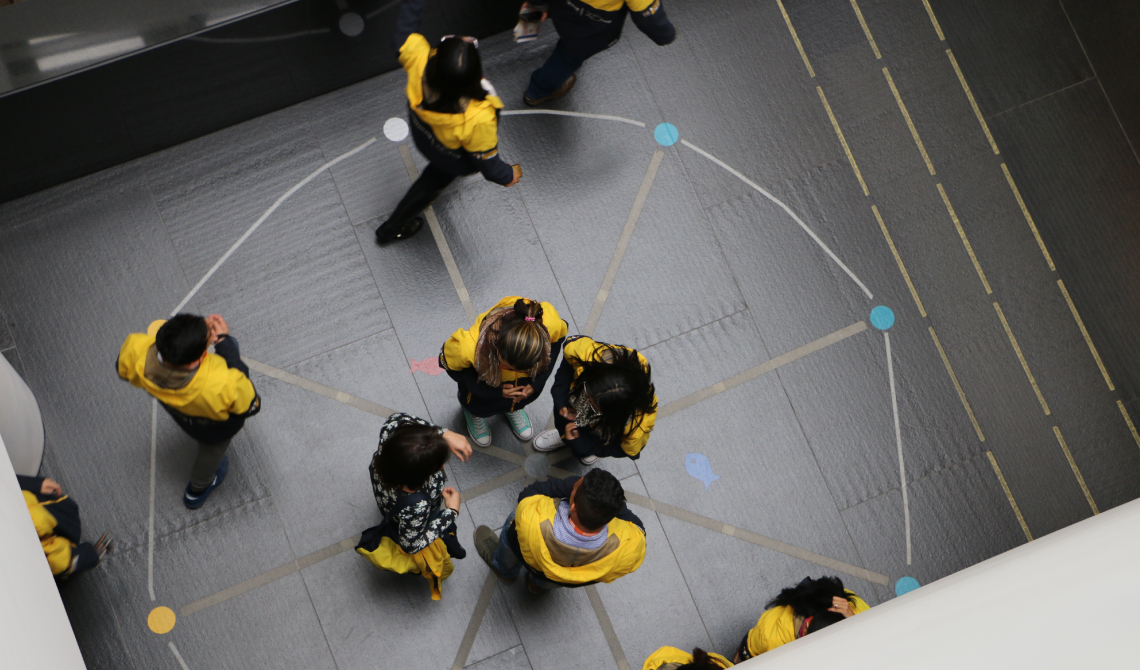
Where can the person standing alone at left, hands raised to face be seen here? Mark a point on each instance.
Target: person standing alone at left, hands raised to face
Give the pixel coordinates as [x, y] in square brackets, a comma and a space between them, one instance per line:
[208, 395]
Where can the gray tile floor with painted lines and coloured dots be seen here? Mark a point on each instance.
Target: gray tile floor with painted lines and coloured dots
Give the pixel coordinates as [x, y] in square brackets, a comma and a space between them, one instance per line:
[716, 281]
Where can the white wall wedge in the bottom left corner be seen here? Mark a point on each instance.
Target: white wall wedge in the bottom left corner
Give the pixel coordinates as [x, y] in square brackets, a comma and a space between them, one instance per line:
[35, 631]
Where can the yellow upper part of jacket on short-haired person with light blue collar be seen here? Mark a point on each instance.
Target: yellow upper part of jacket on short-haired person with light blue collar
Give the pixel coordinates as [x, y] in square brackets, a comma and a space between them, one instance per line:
[623, 553]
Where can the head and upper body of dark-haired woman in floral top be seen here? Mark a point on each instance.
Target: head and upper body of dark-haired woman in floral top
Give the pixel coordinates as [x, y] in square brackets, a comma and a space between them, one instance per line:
[408, 480]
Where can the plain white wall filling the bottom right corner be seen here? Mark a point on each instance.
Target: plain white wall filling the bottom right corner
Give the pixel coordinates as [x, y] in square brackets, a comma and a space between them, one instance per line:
[1070, 600]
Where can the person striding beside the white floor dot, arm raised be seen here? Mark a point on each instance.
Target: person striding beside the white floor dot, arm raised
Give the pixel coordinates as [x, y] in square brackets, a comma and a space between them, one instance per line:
[453, 112]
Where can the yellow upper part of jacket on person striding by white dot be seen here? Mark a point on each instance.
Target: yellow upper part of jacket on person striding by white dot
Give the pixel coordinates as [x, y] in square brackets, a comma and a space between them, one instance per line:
[476, 130]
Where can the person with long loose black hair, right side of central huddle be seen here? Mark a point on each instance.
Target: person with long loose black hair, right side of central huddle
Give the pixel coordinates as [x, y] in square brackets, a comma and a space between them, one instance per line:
[605, 403]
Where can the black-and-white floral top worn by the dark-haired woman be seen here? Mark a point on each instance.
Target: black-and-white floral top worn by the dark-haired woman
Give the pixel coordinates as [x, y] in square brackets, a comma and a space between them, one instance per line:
[417, 526]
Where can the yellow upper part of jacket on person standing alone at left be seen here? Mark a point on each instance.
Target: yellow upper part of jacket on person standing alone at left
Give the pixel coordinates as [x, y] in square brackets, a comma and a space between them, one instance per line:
[215, 393]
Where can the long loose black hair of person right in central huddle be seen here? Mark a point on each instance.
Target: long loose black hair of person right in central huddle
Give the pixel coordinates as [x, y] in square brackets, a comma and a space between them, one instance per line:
[622, 388]
